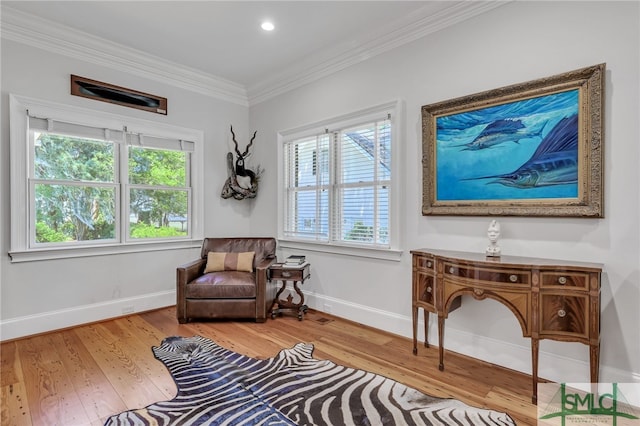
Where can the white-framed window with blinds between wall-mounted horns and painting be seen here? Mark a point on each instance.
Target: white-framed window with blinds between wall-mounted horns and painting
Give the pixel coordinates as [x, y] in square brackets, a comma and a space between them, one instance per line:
[338, 181]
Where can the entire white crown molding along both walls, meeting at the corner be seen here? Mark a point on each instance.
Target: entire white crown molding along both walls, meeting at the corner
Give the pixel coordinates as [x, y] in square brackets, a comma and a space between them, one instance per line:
[50, 36]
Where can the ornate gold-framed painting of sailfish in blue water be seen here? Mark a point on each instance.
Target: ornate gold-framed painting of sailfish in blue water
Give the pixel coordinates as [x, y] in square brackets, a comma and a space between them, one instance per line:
[530, 149]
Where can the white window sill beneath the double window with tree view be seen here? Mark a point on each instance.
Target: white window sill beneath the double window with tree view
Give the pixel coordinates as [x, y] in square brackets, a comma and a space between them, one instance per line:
[73, 252]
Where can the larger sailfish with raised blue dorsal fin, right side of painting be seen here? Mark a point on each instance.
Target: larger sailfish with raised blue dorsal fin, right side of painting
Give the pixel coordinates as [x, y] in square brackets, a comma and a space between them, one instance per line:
[555, 162]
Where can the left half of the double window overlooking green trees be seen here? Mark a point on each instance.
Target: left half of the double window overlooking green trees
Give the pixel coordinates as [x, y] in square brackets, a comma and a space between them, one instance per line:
[73, 187]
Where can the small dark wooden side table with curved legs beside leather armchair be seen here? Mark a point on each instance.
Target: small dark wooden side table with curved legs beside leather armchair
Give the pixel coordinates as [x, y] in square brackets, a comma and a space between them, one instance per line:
[296, 275]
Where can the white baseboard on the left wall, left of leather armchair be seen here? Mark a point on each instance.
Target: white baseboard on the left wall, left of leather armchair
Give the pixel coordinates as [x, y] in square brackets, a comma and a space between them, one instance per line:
[55, 320]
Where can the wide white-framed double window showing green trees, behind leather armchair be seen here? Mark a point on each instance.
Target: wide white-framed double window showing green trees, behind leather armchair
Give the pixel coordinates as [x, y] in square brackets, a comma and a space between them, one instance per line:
[89, 179]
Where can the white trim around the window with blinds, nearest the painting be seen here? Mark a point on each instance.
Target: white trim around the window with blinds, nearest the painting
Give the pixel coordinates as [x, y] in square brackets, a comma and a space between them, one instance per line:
[393, 252]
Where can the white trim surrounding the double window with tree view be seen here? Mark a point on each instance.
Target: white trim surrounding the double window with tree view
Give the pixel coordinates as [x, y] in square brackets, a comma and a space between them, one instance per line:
[20, 250]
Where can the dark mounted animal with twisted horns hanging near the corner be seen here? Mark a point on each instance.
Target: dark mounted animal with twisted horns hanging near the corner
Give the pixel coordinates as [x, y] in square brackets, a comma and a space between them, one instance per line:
[242, 183]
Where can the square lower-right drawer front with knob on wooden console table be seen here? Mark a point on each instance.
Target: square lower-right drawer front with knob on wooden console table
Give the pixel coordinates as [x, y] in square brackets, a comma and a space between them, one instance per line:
[562, 314]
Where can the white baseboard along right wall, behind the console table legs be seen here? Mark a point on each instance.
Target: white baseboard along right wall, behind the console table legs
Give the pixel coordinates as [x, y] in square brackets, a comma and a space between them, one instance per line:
[517, 357]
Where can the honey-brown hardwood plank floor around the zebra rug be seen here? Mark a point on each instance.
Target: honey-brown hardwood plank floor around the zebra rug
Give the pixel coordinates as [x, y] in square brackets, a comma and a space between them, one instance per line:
[82, 375]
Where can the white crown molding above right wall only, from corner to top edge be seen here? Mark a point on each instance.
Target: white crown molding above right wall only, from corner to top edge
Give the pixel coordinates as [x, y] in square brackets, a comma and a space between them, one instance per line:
[413, 27]
